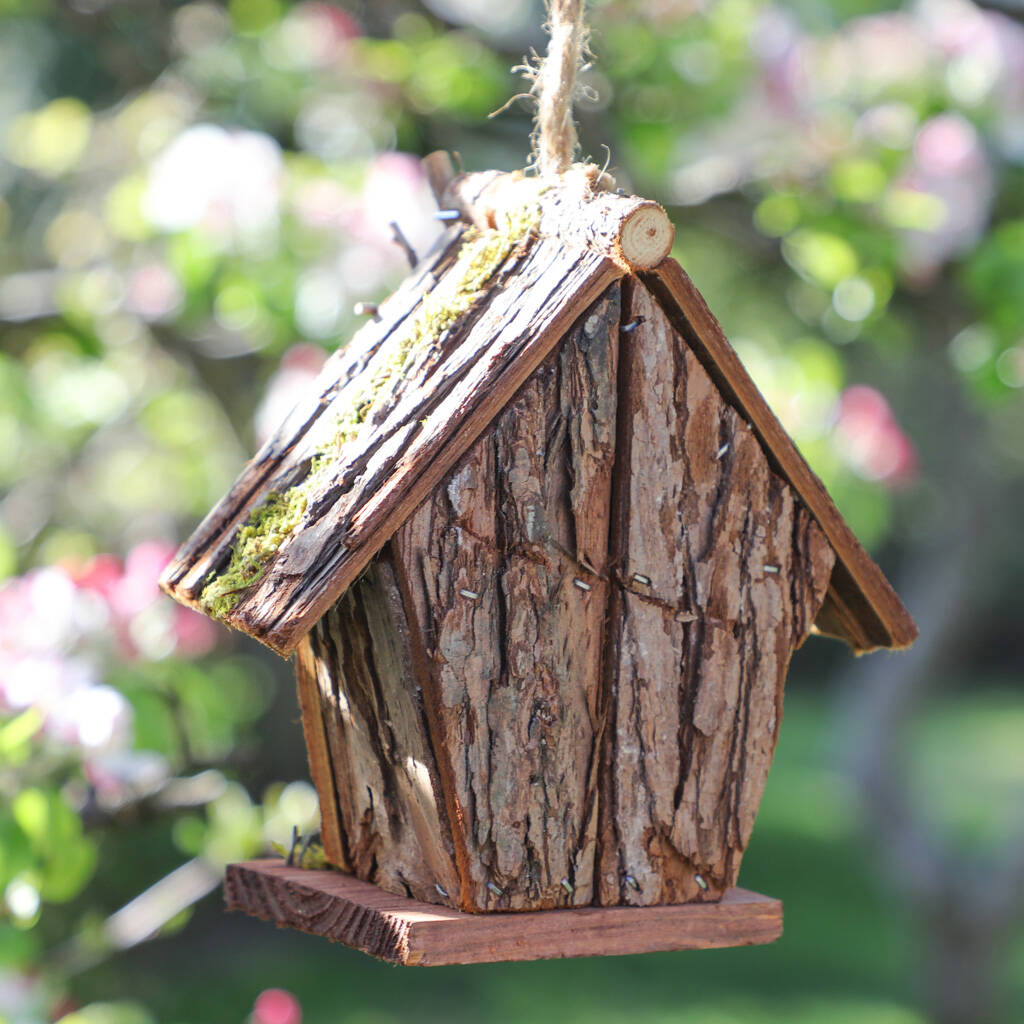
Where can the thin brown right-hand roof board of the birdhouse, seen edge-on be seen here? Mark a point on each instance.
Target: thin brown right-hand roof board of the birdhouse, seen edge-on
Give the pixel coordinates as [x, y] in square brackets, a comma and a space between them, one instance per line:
[684, 303]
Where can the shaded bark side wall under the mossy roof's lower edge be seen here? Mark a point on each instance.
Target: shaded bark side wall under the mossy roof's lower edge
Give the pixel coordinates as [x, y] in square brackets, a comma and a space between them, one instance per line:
[383, 817]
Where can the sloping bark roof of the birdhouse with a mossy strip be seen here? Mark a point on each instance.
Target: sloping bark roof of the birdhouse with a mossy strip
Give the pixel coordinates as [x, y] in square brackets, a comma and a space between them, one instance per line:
[393, 413]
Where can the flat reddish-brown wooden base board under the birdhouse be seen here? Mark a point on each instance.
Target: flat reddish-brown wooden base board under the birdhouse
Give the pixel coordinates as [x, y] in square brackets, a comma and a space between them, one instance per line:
[405, 931]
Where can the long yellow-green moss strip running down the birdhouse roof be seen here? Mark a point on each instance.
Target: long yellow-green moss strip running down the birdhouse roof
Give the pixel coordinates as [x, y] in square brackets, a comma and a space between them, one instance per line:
[271, 525]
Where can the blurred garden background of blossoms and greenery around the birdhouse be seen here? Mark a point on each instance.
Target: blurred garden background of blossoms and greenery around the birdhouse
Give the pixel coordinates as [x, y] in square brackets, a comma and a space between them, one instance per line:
[194, 196]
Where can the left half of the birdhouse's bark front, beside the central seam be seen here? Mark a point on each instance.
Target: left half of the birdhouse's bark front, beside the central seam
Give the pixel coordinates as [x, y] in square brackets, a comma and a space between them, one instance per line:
[505, 569]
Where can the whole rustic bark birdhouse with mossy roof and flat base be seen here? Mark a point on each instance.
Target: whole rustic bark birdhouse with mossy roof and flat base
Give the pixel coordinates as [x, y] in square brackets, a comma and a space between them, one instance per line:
[542, 553]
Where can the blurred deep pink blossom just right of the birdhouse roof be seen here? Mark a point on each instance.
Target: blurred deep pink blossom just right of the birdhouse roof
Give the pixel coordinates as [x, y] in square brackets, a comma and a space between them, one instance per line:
[870, 440]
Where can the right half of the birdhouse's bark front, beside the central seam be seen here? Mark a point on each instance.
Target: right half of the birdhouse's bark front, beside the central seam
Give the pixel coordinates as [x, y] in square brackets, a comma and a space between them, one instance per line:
[722, 572]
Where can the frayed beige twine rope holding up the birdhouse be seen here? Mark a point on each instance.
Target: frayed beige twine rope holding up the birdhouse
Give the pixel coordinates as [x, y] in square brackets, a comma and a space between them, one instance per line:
[556, 88]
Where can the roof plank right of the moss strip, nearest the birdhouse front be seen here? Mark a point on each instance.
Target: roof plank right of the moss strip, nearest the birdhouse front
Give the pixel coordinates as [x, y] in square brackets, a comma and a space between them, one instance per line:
[514, 333]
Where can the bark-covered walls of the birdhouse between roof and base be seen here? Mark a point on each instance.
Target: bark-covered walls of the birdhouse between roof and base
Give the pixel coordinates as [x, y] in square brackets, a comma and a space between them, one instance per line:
[561, 684]
